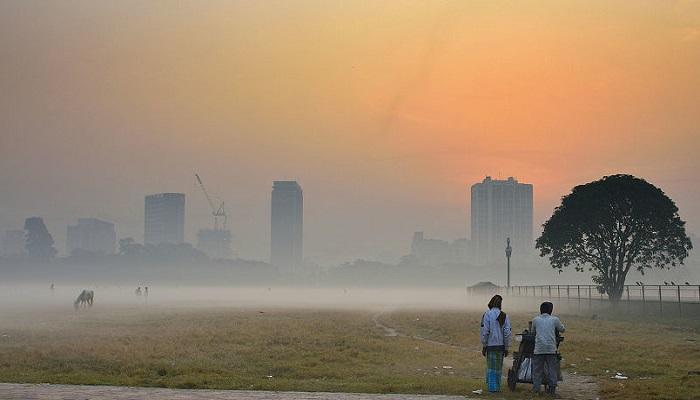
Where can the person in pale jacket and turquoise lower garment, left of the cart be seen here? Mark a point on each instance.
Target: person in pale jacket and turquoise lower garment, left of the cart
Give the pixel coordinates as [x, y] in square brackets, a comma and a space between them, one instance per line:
[495, 339]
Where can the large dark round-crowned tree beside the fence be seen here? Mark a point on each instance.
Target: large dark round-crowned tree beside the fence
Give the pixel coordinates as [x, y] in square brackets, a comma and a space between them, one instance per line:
[612, 225]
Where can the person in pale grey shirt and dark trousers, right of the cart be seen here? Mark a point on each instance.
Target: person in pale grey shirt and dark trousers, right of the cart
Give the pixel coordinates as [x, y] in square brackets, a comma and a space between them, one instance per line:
[545, 361]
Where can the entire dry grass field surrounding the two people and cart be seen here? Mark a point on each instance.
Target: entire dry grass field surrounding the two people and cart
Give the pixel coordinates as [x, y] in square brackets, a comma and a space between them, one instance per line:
[324, 351]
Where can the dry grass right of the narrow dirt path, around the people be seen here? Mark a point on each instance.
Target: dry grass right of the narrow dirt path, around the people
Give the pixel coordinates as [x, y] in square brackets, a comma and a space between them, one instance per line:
[656, 357]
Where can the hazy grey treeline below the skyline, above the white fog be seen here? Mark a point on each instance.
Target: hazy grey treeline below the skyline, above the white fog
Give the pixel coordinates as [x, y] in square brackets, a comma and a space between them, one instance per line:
[184, 265]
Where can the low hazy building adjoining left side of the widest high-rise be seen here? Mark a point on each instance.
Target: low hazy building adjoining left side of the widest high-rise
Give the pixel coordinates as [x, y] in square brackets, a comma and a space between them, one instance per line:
[434, 252]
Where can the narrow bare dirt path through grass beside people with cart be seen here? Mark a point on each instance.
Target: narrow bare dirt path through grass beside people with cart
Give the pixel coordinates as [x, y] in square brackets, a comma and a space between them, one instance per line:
[574, 387]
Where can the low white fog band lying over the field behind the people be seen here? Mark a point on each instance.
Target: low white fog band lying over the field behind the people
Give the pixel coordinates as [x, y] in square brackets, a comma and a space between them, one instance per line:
[110, 298]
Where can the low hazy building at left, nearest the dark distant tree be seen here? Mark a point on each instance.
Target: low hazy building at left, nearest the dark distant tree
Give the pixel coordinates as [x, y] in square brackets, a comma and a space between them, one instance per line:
[91, 234]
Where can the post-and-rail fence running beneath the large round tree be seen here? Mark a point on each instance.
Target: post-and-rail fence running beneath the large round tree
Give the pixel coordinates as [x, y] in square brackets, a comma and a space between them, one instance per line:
[650, 297]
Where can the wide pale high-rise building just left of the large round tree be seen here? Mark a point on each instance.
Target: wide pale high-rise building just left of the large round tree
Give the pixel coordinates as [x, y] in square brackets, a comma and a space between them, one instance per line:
[501, 209]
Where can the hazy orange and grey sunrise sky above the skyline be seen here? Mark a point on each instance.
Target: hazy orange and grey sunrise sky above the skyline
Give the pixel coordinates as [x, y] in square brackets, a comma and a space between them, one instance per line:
[384, 111]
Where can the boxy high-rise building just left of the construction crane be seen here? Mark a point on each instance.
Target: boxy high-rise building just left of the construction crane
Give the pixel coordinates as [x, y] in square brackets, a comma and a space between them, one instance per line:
[164, 218]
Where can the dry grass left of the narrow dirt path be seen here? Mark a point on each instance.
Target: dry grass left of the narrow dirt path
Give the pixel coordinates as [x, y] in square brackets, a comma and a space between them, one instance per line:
[233, 349]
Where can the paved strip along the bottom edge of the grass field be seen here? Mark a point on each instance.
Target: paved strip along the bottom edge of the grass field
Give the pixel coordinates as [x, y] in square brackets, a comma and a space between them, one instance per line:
[11, 391]
